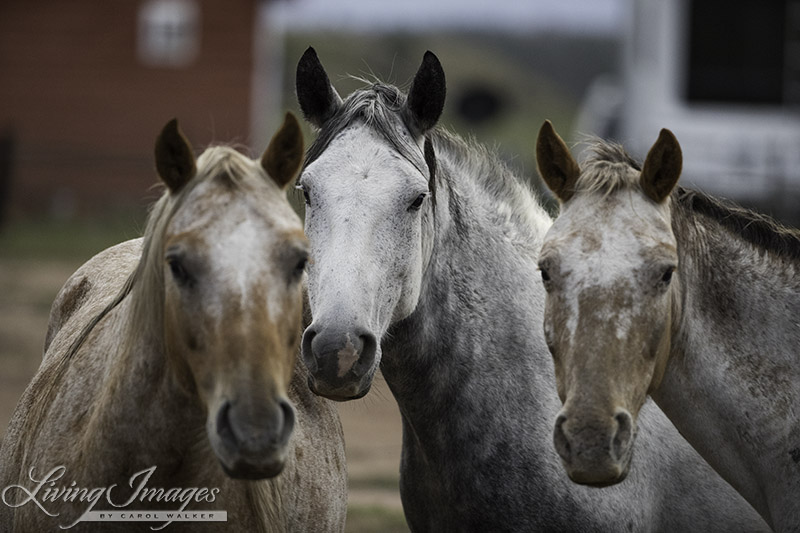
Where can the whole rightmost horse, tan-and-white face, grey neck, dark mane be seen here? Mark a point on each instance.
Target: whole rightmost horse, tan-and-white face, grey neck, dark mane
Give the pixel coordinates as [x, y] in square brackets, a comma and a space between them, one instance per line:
[669, 292]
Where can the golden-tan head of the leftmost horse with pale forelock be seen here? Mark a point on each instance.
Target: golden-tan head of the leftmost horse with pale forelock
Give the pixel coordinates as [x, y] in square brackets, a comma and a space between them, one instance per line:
[230, 254]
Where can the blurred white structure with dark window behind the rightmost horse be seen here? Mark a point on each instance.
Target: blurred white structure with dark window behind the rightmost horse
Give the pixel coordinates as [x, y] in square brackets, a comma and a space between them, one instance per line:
[724, 76]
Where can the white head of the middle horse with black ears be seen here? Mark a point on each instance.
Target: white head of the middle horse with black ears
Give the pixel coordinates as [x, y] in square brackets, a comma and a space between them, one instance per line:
[369, 188]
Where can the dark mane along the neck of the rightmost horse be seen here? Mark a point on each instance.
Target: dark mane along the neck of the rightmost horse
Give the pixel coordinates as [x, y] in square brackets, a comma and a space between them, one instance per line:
[757, 229]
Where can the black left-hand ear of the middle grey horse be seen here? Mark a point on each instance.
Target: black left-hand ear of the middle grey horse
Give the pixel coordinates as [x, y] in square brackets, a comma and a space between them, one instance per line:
[318, 99]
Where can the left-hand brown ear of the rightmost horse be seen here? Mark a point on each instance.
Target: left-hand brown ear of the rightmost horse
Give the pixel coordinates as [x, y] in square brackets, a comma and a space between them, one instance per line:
[556, 165]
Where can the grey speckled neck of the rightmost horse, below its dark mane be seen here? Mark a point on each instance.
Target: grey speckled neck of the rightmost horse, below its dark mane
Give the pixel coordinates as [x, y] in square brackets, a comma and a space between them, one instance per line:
[731, 385]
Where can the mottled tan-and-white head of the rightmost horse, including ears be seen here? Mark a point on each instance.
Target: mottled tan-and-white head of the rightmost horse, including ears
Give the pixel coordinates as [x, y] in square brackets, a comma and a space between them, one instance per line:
[609, 266]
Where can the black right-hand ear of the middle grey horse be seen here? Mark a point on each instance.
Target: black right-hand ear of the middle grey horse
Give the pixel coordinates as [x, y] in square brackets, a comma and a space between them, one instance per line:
[427, 94]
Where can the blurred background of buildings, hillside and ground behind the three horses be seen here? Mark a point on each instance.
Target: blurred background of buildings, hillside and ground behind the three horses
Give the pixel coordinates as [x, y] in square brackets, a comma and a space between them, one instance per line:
[86, 85]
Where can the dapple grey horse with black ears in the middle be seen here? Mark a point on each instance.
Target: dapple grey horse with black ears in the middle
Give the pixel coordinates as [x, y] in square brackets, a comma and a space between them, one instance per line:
[424, 251]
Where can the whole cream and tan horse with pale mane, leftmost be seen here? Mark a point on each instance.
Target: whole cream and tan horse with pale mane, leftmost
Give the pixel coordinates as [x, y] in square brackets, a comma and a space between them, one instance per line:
[179, 388]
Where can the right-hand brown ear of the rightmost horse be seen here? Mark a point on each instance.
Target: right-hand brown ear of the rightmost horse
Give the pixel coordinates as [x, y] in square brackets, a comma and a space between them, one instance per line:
[662, 167]
